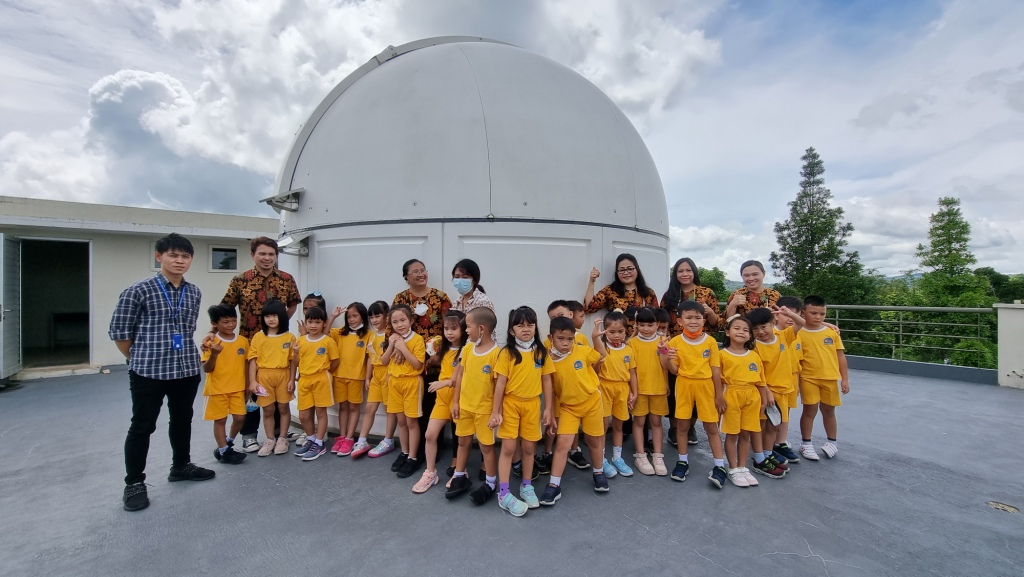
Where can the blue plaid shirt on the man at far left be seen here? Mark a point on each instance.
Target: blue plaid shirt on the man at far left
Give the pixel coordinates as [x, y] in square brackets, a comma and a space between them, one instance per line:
[145, 317]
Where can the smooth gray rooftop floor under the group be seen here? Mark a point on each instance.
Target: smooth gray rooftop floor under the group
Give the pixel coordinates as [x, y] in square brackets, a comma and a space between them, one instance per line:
[906, 497]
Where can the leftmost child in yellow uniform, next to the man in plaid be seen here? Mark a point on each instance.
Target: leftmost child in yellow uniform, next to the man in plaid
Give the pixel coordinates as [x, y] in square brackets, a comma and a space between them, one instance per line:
[225, 364]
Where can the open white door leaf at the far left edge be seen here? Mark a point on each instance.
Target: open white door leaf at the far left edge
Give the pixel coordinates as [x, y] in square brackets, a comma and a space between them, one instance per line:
[11, 307]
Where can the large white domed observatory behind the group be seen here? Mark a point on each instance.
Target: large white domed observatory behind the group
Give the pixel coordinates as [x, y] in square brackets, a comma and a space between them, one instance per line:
[466, 148]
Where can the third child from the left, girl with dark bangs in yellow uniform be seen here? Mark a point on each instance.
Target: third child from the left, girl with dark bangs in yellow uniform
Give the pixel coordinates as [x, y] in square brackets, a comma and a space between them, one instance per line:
[316, 358]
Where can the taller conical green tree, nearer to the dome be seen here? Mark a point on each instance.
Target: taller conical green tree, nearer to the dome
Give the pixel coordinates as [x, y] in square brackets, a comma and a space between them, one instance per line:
[812, 256]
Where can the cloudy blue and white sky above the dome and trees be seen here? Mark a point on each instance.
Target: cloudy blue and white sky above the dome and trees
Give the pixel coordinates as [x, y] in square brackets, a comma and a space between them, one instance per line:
[159, 104]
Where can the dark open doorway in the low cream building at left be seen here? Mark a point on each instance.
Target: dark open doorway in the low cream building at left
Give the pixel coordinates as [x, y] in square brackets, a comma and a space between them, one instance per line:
[55, 303]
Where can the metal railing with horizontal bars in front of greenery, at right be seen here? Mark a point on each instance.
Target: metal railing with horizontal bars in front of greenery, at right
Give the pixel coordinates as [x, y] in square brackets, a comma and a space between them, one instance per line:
[935, 335]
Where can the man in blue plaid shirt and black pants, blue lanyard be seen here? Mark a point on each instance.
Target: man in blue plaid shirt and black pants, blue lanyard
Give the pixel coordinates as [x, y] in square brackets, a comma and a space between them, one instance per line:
[153, 326]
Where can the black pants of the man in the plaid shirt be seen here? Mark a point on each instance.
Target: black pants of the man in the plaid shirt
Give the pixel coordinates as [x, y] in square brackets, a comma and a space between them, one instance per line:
[147, 399]
